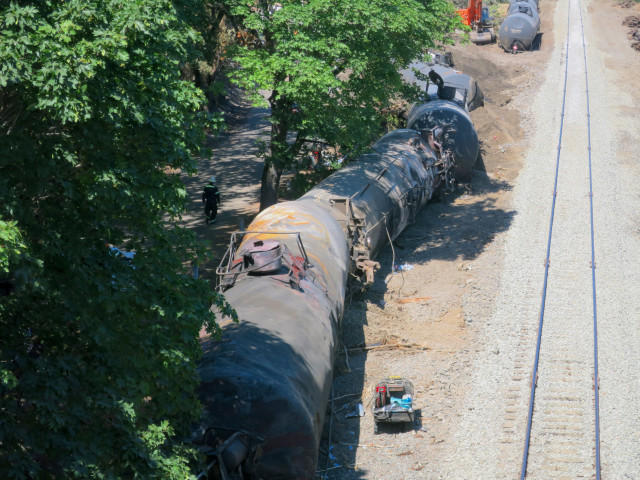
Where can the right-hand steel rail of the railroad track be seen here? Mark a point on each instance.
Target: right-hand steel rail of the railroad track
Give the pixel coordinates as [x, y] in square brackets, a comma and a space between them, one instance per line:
[593, 260]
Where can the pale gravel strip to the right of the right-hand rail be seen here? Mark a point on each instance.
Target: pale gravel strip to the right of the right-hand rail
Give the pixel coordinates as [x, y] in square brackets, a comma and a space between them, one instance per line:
[615, 152]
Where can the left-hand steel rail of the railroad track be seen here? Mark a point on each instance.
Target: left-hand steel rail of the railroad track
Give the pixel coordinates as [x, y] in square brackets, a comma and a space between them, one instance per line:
[534, 376]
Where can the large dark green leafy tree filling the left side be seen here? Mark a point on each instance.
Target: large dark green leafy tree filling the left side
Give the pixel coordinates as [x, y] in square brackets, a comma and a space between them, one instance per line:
[97, 353]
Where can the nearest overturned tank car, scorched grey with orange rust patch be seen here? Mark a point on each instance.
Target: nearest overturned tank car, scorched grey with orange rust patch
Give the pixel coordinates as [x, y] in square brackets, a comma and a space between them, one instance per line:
[270, 374]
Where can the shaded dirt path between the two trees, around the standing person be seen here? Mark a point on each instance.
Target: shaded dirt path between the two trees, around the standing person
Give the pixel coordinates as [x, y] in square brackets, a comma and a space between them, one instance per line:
[238, 172]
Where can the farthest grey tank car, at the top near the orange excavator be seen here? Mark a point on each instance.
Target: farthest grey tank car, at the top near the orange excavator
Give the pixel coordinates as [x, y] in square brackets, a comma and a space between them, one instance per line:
[520, 27]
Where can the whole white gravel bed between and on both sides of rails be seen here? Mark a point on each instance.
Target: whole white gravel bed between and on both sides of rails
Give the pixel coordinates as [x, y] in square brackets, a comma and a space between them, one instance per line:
[490, 436]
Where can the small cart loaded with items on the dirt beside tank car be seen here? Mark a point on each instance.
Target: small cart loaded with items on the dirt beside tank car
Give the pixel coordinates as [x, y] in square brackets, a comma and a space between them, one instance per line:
[393, 402]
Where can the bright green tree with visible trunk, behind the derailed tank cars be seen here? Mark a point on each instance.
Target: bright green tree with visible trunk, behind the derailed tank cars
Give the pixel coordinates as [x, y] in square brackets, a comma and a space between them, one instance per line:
[331, 66]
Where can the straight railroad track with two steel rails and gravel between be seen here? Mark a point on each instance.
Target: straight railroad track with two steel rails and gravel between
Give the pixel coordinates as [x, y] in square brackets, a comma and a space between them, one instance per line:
[562, 438]
